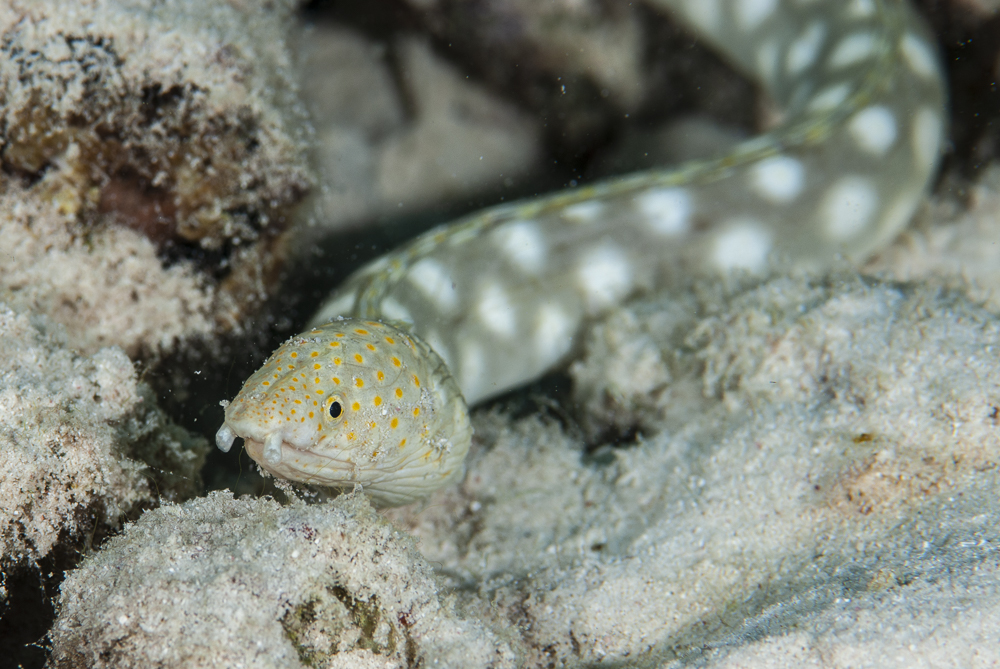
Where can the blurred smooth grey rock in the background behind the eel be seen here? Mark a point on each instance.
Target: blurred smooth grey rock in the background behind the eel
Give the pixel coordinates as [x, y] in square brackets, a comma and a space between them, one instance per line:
[391, 142]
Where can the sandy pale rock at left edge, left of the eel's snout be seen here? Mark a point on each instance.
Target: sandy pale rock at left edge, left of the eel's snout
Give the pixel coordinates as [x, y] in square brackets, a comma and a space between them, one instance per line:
[84, 444]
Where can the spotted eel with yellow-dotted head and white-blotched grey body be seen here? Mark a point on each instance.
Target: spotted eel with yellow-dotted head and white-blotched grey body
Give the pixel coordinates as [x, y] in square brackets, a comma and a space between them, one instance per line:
[501, 295]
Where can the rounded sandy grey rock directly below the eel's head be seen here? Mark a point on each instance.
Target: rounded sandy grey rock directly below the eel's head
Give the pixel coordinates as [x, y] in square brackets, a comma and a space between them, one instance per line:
[250, 583]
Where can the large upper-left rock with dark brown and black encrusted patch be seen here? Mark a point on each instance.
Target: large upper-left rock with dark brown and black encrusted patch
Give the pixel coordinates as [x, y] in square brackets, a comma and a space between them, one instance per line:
[132, 128]
